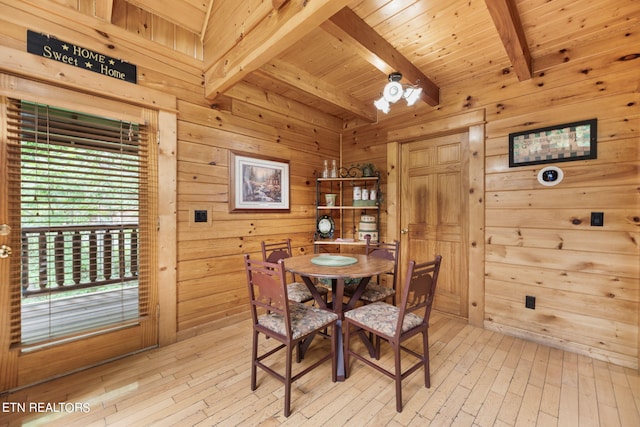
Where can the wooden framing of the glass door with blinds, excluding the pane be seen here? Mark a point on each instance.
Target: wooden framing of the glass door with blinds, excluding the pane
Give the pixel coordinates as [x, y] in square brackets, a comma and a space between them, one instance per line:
[23, 364]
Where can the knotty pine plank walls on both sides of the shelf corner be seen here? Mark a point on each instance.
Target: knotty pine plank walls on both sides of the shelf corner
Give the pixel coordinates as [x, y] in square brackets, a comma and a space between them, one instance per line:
[538, 240]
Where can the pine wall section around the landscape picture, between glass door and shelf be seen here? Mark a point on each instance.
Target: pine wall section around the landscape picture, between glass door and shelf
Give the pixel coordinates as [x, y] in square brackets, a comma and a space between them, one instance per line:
[211, 280]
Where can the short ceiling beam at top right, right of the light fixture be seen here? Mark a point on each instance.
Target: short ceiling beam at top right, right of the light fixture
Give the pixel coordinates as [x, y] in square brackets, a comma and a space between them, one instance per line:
[507, 21]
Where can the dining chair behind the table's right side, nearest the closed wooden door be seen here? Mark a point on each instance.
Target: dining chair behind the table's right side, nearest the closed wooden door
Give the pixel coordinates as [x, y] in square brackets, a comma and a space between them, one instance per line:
[376, 291]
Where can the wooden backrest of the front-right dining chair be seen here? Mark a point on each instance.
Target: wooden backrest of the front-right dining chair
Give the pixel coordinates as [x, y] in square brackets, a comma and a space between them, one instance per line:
[419, 290]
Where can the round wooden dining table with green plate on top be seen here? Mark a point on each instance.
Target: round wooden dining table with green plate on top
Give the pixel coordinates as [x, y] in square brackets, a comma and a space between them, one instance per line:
[337, 268]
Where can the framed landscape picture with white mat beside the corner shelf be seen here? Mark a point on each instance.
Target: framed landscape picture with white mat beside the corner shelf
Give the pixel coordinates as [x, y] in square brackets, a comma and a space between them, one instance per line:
[258, 184]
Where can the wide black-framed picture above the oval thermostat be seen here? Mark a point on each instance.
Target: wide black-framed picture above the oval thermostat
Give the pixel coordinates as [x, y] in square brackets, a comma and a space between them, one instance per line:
[559, 143]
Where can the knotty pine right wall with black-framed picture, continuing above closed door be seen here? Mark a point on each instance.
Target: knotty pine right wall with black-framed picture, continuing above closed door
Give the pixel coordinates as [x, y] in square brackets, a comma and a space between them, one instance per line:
[539, 241]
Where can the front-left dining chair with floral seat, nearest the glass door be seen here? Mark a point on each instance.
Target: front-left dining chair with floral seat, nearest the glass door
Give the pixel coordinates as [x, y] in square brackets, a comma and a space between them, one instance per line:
[288, 322]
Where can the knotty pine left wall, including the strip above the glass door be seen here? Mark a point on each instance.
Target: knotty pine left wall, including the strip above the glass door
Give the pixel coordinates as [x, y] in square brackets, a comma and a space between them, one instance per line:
[211, 284]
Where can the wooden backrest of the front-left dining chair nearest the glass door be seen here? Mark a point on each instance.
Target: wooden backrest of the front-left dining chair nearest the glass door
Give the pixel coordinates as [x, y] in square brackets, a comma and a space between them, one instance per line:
[267, 290]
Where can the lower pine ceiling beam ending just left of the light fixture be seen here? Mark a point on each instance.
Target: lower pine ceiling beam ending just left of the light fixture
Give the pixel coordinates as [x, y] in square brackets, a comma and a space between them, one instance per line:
[301, 80]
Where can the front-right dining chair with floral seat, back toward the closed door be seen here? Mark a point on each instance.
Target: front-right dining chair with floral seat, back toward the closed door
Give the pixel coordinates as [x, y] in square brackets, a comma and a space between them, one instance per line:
[395, 325]
